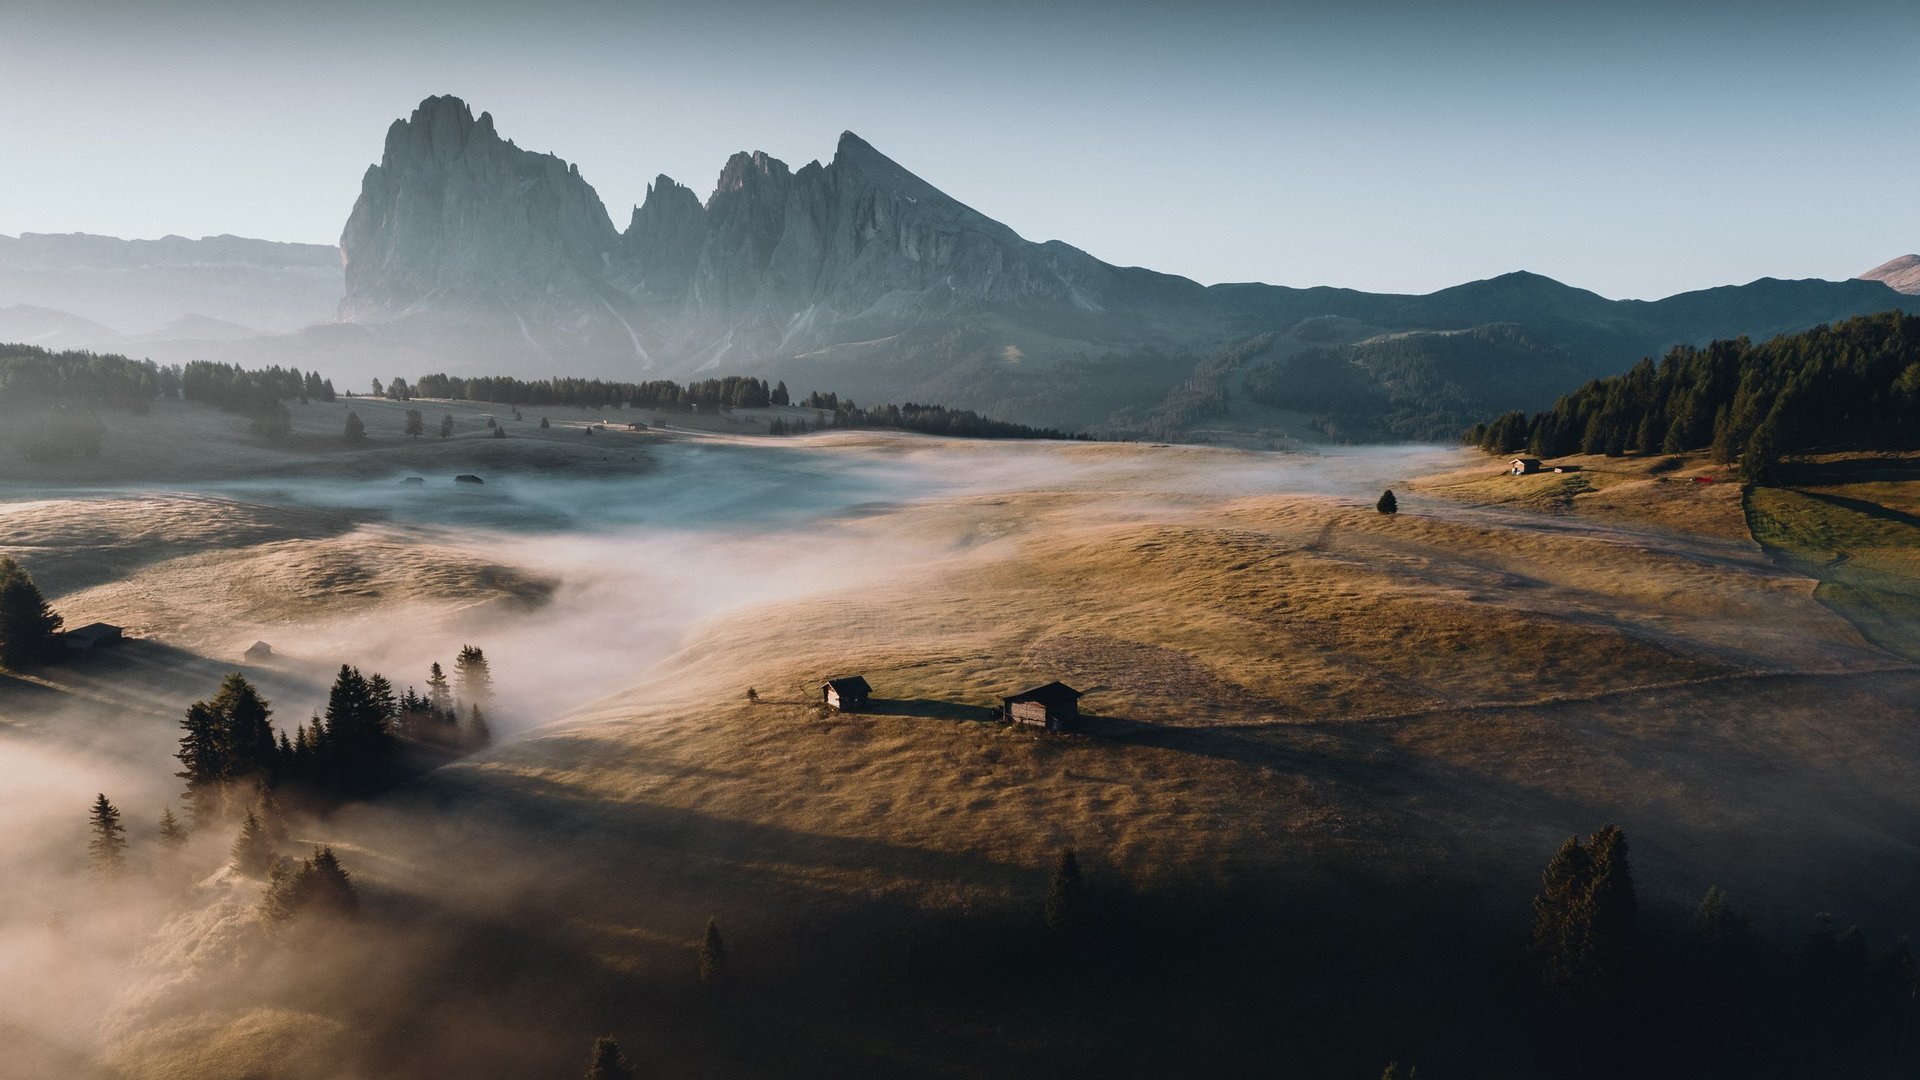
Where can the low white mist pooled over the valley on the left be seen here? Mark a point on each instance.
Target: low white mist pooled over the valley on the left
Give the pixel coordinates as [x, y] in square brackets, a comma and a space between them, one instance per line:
[633, 568]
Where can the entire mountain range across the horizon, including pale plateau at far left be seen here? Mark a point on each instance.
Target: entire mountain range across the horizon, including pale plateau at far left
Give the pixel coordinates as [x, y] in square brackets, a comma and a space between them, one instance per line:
[468, 253]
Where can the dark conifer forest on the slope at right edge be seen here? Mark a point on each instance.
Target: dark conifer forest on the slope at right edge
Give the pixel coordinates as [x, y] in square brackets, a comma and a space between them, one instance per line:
[1842, 387]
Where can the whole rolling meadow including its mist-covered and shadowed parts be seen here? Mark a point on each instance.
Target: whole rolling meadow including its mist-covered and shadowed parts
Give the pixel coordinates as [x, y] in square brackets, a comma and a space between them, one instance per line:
[1326, 750]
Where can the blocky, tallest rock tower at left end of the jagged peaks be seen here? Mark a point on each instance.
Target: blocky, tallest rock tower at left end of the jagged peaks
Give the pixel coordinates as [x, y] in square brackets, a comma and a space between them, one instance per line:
[460, 222]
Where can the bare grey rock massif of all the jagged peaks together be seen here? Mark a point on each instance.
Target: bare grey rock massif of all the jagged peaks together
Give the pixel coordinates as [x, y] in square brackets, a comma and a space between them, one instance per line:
[462, 232]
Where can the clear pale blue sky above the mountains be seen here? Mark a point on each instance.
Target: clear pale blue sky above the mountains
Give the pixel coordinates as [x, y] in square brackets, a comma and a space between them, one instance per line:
[1635, 149]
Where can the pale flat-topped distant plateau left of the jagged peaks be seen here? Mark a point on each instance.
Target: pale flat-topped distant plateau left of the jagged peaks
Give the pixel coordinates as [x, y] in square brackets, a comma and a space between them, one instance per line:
[149, 283]
